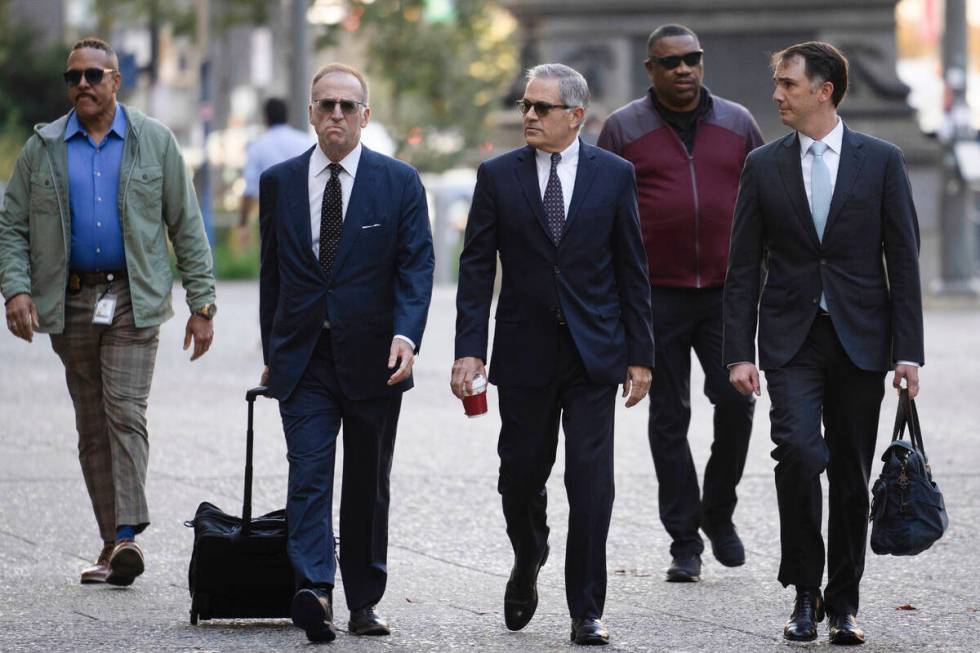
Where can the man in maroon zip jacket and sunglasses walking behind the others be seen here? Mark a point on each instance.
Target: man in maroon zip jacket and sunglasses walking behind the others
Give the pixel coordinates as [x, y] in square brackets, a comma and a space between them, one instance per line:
[688, 148]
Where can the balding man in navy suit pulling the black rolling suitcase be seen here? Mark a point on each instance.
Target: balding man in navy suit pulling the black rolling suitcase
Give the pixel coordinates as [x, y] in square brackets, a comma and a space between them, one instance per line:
[346, 280]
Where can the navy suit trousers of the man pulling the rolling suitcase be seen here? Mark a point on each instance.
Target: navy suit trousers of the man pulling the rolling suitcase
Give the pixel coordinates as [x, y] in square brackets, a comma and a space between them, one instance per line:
[312, 416]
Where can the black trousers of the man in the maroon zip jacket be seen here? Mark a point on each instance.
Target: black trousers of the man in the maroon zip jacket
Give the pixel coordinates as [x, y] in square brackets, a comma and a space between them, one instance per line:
[686, 319]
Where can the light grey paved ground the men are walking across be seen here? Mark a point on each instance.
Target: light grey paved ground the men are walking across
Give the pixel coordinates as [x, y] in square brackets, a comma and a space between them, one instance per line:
[449, 556]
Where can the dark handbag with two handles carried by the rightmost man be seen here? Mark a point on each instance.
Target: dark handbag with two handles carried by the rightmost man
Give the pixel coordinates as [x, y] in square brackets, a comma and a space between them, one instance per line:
[907, 507]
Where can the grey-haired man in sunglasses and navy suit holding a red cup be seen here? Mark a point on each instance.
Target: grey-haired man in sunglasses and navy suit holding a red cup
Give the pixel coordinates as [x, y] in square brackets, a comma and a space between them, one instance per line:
[573, 321]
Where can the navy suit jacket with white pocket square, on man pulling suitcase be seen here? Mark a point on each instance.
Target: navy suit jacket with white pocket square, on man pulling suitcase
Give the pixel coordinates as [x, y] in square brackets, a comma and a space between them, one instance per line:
[380, 283]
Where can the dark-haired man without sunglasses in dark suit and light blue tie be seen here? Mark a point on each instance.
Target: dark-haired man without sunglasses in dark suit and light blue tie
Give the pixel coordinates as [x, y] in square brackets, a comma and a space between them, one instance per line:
[828, 213]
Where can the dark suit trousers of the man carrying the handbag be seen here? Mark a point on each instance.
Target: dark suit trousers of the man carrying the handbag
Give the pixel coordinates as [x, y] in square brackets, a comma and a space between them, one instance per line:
[821, 381]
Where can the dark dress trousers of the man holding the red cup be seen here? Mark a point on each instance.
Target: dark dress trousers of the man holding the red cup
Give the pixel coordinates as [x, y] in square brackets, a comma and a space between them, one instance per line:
[527, 448]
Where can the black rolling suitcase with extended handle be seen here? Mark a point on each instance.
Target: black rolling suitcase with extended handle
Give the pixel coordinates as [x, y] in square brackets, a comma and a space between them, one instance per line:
[239, 567]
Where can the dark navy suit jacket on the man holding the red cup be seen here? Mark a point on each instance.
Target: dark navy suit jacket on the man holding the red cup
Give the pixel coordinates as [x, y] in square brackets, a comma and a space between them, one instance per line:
[596, 274]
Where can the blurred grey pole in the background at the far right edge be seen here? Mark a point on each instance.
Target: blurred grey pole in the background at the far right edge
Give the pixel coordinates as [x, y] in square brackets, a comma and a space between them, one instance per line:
[959, 233]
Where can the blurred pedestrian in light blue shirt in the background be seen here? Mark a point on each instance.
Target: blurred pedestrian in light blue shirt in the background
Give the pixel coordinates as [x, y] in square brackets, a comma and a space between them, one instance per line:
[279, 142]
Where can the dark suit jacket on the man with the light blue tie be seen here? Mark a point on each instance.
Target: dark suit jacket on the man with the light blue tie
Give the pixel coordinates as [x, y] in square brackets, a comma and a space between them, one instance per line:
[867, 264]
